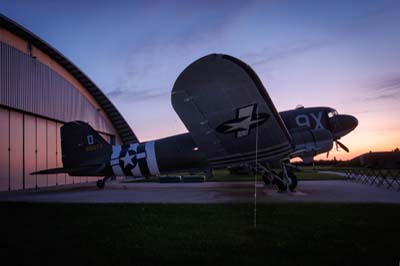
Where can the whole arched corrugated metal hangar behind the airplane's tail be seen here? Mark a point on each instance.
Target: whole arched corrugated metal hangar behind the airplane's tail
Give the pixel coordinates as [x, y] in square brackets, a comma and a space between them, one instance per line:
[40, 90]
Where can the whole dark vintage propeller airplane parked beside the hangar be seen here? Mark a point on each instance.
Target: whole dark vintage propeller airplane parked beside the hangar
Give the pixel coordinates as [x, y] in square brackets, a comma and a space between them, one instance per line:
[231, 121]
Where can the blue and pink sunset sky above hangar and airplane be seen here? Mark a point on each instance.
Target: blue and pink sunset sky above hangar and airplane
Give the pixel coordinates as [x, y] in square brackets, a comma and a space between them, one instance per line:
[342, 54]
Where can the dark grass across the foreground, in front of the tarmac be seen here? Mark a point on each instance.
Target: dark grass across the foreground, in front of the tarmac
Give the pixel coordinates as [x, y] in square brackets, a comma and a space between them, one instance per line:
[189, 234]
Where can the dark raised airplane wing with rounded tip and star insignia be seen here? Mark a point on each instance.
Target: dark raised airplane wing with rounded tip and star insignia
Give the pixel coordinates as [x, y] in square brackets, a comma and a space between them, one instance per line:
[225, 107]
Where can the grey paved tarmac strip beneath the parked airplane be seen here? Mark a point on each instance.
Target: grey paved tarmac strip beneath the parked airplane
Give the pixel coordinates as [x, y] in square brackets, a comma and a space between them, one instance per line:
[208, 192]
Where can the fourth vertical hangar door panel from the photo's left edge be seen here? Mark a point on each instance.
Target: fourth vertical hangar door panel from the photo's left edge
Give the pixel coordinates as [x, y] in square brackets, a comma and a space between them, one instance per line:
[41, 150]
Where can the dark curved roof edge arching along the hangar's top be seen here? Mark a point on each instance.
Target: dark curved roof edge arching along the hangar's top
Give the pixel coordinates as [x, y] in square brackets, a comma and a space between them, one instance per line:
[124, 131]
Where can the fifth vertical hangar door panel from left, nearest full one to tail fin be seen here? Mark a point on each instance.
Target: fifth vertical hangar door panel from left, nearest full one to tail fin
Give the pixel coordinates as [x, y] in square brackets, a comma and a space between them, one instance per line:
[51, 151]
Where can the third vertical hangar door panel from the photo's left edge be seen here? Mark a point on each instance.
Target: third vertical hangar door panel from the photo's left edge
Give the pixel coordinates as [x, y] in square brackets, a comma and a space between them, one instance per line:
[29, 150]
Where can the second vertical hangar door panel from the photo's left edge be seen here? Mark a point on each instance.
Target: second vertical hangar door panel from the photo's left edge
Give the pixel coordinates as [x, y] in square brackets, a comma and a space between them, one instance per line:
[16, 151]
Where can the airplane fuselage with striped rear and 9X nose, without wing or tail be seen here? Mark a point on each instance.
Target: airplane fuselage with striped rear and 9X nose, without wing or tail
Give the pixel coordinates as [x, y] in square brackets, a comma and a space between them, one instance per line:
[312, 129]
